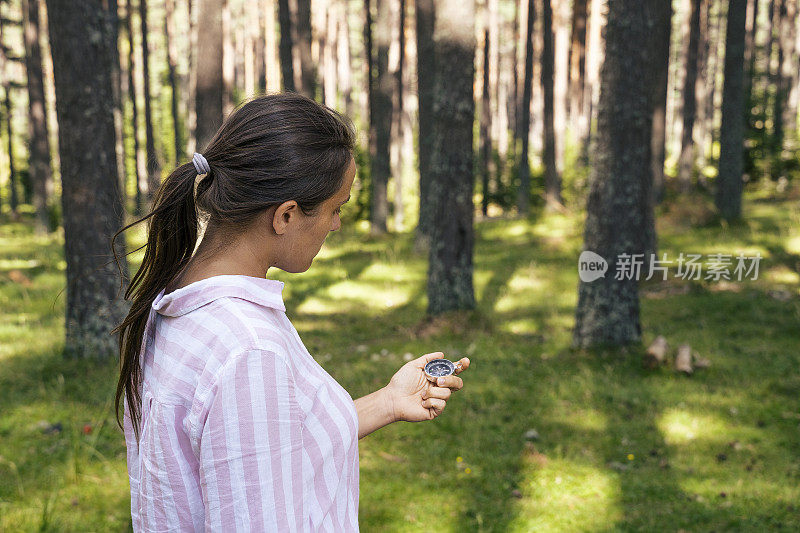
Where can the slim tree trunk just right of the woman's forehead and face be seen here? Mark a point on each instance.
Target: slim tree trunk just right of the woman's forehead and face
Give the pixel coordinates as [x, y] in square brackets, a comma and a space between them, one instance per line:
[381, 119]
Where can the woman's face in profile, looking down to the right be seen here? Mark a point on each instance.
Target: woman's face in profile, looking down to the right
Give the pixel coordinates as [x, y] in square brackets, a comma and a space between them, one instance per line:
[310, 232]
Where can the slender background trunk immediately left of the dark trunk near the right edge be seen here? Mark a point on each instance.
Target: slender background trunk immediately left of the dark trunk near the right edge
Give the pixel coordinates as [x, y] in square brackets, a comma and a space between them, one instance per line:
[686, 160]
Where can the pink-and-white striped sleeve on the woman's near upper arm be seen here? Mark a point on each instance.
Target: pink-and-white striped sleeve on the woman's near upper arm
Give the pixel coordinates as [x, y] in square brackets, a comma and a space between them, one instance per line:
[251, 448]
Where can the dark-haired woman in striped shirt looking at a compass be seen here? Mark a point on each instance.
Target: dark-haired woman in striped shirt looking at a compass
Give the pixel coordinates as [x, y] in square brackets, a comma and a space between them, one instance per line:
[230, 424]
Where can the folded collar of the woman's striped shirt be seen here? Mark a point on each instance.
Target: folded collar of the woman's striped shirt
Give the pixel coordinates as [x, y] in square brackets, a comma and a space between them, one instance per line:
[261, 291]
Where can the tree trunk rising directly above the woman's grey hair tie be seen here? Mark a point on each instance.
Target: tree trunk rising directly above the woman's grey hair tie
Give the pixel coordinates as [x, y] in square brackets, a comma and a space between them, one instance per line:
[209, 93]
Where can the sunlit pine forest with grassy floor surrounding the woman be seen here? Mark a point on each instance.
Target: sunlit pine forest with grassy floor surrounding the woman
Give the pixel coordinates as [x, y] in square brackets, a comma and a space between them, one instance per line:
[506, 148]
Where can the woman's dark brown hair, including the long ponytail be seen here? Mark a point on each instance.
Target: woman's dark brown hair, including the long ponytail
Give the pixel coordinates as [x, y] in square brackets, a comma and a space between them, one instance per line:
[271, 149]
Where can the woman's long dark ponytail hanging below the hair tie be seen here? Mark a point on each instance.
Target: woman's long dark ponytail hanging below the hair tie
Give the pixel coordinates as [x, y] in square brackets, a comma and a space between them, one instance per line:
[171, 237]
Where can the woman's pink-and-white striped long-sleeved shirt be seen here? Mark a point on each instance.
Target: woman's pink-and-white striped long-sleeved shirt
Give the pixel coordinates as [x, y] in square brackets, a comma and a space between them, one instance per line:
[242, 430]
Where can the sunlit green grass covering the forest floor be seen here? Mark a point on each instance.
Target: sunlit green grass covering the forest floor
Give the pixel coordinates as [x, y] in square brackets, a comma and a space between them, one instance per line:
[620, 447]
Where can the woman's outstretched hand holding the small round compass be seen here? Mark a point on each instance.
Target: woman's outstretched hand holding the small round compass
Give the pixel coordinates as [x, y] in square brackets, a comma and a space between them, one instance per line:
[414, 398]
